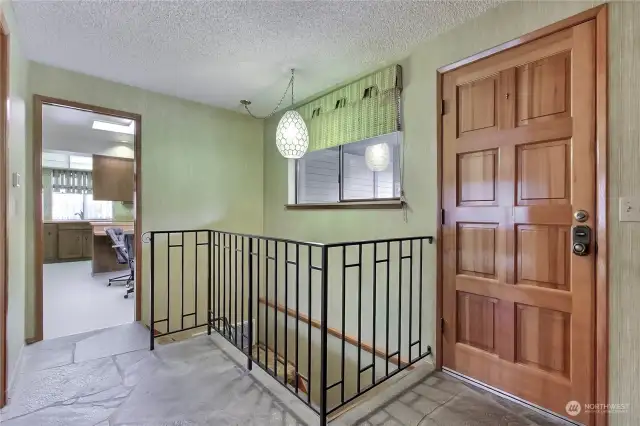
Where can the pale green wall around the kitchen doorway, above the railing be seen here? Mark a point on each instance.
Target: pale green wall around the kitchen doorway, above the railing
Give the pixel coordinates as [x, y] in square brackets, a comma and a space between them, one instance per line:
[201, 166]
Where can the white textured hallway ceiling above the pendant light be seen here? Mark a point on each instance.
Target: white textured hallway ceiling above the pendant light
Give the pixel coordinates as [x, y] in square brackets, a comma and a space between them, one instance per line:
[218, 52]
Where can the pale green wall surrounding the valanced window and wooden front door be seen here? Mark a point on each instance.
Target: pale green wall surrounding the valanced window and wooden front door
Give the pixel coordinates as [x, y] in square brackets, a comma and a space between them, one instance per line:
[505, 22]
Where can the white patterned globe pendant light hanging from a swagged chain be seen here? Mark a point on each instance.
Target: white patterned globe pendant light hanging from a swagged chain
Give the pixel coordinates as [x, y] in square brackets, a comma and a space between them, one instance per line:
[292, 136]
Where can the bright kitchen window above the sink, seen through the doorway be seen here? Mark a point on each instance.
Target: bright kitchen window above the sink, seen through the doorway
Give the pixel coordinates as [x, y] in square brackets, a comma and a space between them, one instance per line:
[68, 206]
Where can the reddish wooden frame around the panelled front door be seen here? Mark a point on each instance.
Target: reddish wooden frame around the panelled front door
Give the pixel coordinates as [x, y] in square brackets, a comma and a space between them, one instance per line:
[601, 349]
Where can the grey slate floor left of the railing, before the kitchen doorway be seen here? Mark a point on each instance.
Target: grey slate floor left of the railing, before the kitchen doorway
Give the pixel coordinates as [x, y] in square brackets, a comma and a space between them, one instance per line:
[109, 377]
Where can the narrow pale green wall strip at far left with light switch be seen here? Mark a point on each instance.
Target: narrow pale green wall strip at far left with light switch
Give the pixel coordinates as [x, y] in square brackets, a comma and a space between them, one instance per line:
[16, 196]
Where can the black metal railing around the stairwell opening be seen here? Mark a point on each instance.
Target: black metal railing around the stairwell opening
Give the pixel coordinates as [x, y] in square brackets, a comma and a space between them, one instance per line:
[275, 299]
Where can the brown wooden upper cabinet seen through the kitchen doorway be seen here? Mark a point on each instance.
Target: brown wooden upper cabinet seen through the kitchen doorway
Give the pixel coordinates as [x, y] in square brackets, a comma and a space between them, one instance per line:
[113, 178]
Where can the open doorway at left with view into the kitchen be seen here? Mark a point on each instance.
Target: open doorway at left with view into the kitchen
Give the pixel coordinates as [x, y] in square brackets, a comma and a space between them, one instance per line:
[87, 221]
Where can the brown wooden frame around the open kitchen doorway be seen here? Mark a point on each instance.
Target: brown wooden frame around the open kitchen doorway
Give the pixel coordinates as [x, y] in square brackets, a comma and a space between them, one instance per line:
[38, 242]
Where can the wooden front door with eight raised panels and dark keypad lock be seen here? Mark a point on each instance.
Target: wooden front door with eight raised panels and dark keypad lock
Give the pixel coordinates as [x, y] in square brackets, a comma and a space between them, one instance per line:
[518, 160]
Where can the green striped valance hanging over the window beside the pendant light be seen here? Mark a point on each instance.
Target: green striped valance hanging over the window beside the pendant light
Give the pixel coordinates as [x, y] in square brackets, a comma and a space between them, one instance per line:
[364, 109]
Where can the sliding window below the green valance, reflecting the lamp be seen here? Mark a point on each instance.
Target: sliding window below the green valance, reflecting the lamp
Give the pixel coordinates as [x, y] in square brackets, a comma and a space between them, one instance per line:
[365, 170]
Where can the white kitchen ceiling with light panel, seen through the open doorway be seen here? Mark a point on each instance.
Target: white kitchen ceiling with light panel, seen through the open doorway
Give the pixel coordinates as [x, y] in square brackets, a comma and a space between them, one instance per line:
[67, 129]
